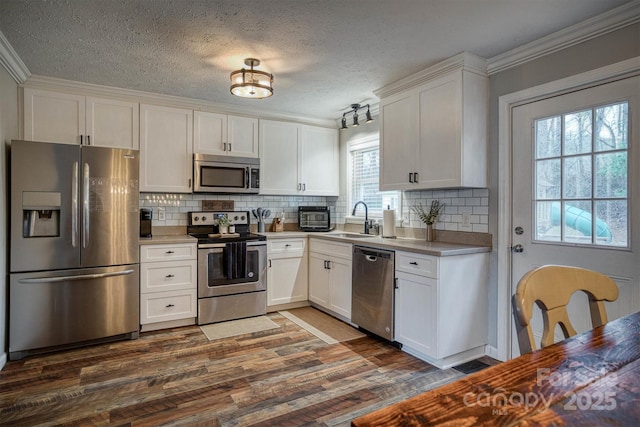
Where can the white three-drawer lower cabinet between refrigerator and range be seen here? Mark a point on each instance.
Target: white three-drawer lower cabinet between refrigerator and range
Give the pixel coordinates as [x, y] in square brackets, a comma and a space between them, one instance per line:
[168, 285]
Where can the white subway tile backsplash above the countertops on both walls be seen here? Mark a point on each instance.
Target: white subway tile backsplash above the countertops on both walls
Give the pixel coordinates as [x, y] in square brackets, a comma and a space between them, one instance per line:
[472, 202]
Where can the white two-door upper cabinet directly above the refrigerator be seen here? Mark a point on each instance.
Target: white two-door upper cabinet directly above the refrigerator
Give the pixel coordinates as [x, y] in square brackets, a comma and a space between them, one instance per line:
[51, 116]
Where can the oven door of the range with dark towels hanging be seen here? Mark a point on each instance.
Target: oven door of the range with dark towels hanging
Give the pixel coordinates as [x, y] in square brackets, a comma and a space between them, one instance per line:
[231, 268]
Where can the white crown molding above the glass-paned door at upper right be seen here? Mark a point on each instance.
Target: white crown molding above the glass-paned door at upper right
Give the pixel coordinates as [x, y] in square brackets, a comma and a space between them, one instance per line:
[597, 26]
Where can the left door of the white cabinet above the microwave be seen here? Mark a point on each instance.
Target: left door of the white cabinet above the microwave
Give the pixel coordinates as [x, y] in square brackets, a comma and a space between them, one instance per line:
[209, 133]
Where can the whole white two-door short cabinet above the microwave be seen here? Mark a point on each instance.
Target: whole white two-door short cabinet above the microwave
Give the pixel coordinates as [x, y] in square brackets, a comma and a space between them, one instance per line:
[225, 135]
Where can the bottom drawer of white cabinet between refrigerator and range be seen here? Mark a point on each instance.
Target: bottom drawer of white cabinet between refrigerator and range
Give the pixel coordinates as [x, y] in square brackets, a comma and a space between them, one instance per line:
[164, 306]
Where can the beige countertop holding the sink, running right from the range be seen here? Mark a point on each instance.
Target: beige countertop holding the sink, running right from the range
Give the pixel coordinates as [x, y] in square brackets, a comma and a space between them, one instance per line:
[399, 244]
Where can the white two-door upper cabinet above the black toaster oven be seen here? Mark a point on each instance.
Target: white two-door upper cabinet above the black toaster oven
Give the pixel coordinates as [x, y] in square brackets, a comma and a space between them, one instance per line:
[298, 159]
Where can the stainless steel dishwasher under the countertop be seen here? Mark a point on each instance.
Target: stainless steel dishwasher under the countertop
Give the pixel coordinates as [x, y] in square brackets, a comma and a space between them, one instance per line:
[373, 290]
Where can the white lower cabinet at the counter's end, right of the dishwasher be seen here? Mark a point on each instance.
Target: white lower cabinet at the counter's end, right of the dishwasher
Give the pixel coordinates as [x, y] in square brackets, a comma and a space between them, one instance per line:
[441, 306]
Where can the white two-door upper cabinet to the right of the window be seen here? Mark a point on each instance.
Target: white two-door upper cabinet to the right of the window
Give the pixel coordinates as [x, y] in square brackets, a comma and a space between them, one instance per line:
[433, 131]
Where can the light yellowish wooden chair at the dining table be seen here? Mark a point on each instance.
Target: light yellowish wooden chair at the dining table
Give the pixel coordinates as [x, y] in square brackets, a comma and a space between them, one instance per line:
[551, 288]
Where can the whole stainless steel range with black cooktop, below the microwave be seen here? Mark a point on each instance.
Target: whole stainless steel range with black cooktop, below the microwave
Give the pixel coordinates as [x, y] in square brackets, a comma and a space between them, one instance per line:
[232, 268]
